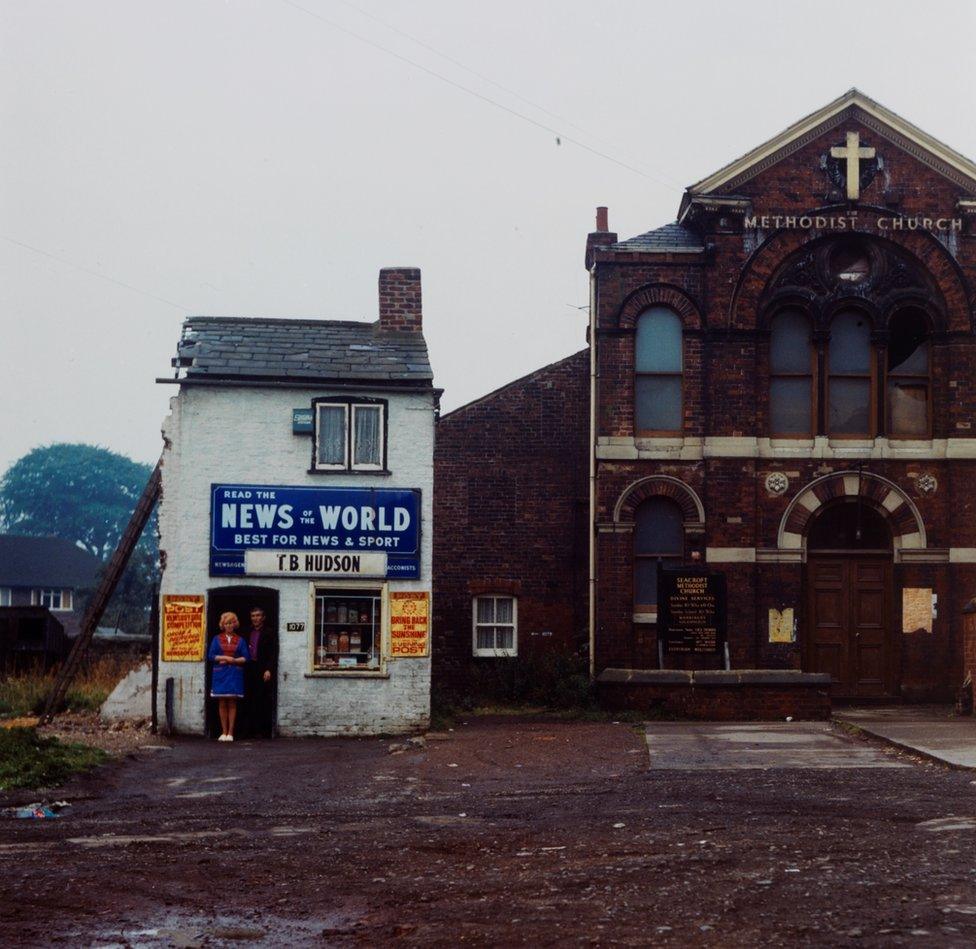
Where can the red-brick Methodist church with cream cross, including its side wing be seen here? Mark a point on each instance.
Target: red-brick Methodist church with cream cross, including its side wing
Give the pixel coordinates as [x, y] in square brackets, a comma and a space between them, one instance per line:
[779, 387]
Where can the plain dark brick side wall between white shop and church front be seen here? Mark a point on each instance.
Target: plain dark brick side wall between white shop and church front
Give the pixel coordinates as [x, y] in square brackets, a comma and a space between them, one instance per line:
[510, 487]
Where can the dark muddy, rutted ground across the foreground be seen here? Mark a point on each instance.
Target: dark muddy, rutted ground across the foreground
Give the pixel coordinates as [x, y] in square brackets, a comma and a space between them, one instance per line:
[507, 832]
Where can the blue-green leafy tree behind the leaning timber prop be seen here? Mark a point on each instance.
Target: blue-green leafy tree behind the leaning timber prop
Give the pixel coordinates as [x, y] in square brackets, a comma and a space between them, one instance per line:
[86, 494]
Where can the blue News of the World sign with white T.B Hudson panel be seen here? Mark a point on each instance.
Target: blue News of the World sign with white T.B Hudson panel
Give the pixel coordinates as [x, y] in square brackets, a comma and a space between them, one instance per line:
[269, 530]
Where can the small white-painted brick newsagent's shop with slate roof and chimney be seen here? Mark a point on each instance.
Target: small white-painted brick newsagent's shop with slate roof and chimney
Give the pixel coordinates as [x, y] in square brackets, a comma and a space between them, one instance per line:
[297, 477]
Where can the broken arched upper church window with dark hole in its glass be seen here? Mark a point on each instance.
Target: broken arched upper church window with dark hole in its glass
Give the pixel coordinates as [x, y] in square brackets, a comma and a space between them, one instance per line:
[909, 375]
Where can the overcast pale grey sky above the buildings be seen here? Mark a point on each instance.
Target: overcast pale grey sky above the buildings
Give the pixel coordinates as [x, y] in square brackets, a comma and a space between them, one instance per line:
[261, 158]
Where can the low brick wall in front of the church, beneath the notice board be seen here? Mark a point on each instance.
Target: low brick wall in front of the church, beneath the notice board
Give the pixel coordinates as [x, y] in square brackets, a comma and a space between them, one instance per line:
[723, 696]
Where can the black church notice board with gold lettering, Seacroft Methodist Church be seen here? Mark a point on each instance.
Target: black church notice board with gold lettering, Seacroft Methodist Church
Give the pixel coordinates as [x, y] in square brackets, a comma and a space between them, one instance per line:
[691, 615]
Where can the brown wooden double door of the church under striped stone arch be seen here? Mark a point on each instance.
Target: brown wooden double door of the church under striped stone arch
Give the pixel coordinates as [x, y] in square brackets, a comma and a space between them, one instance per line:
[849, 617]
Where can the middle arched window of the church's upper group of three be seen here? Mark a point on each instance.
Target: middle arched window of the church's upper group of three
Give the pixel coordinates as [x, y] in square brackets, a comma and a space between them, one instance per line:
[849, 375]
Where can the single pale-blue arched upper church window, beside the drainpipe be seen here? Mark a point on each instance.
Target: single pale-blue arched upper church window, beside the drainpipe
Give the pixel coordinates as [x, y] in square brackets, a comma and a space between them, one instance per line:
[658, 366]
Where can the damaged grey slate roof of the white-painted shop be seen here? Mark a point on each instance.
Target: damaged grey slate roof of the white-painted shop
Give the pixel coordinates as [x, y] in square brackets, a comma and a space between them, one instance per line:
[215, 348]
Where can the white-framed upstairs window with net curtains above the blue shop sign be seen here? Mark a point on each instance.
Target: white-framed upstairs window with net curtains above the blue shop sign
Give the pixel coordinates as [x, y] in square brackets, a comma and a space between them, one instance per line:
[350, 435]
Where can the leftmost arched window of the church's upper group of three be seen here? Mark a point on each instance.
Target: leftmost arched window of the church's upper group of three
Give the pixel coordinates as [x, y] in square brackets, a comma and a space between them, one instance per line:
[791, 363]
